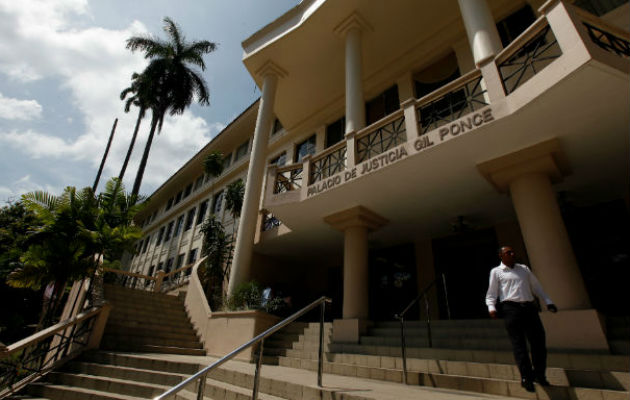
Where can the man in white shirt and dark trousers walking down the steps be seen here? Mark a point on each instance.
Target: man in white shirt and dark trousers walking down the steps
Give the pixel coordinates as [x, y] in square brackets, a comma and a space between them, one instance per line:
[515, 286]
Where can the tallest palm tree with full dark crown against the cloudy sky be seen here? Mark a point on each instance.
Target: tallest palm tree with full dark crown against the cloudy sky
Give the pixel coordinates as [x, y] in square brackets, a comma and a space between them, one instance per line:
[170, 79]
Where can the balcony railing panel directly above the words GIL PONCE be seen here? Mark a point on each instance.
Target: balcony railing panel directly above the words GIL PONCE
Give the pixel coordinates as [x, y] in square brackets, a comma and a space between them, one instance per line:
[451, 102]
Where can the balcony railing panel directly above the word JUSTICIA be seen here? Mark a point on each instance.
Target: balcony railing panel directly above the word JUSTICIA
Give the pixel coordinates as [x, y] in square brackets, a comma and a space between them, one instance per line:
[381, 136]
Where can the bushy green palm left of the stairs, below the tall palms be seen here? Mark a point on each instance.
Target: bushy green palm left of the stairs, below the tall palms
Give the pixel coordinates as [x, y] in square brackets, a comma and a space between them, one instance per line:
[74, 232]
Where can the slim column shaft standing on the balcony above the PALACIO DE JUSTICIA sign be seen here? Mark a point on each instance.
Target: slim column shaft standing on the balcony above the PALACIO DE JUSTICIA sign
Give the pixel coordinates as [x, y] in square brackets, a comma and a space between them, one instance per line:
[355, 108]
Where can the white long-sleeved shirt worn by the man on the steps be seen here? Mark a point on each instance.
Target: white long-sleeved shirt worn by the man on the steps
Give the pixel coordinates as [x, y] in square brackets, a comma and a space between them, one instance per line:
[513, 284]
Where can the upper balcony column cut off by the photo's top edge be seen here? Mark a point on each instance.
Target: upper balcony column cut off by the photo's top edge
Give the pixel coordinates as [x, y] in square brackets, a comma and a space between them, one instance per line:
[481, 29]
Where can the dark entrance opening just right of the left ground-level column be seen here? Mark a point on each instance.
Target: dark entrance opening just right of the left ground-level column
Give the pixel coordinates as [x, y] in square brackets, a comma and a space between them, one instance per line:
[393, 282]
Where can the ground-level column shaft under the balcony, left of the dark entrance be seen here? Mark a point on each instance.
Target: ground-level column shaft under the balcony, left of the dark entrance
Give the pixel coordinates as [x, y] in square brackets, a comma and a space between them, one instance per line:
[355, 273]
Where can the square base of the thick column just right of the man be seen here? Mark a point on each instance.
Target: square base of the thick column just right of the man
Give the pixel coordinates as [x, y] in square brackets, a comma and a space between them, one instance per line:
[575, 330]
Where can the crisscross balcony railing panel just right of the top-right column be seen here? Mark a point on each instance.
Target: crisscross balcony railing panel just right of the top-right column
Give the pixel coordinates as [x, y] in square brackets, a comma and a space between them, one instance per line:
[527, 55]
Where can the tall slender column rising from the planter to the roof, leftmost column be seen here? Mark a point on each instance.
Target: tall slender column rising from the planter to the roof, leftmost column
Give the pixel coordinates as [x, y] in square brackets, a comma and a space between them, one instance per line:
[241, 265]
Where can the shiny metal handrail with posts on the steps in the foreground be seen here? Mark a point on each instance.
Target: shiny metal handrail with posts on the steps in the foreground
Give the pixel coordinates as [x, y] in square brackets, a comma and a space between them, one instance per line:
[201, 375]
